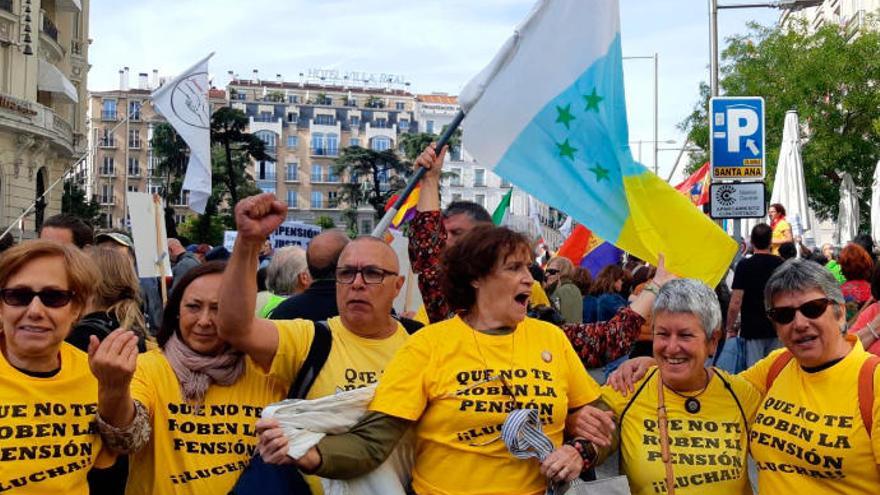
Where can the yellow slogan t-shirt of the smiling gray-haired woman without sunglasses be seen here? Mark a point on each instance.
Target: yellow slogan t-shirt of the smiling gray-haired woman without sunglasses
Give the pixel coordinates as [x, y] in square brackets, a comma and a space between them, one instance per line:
[708, 449]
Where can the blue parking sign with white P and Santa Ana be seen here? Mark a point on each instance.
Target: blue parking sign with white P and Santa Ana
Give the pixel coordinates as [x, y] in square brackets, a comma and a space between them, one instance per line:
[736, 126]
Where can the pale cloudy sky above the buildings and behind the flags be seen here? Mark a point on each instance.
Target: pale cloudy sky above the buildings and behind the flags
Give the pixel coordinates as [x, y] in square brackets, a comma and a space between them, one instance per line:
[437, 45]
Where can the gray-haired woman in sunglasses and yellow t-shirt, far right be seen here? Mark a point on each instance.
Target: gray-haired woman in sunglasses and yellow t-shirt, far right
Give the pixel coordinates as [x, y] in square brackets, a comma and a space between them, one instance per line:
[817, 429]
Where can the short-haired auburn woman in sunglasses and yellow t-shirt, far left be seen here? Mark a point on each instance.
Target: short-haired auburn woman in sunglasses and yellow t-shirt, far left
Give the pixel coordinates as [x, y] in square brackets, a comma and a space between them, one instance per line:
[48, 396]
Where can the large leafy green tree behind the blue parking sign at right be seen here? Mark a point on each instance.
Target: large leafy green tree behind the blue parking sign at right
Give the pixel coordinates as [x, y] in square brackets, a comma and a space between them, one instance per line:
[830, 77]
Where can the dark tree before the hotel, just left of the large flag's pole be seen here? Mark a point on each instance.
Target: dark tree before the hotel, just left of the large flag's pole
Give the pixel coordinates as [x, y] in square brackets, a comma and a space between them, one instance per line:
[372, 177]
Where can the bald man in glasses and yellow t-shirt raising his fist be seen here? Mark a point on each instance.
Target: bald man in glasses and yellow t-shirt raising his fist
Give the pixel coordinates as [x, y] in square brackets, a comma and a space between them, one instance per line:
[364, 337]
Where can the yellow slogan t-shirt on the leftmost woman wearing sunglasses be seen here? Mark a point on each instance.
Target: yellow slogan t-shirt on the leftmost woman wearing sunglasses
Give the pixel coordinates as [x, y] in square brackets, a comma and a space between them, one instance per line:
[48, 436]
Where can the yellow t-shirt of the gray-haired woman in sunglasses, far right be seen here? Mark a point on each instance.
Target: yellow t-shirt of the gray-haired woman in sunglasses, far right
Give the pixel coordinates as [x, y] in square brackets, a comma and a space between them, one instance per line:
[808, 436]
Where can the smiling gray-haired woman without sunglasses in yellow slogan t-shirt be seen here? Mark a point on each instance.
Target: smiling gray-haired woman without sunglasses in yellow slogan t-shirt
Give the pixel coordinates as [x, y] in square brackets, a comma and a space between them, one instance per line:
[707, 411]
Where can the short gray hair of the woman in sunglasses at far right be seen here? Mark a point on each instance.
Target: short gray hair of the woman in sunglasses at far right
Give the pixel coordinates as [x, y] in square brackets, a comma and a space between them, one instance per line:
[798, 275]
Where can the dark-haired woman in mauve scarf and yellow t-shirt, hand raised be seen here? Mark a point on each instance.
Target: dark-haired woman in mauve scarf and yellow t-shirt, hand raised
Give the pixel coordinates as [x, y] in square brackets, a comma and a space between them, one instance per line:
[187, 417]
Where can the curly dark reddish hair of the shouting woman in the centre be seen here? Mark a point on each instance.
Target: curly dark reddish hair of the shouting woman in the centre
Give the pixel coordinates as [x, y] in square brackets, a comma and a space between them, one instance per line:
[474, 257]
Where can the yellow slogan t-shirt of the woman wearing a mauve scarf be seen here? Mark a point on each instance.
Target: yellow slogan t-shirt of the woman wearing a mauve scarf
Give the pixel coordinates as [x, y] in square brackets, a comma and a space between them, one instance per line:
[196, 451]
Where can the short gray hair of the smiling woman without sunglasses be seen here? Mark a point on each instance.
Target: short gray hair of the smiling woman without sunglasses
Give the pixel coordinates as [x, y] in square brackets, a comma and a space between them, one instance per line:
[687, 295]
